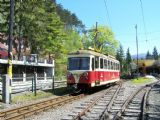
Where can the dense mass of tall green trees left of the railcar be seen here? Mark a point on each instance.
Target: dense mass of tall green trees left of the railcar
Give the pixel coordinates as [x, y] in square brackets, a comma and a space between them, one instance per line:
[44, 27]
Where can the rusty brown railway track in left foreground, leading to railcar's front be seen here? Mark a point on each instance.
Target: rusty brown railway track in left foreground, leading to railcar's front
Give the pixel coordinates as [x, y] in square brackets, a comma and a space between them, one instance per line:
[31, 109]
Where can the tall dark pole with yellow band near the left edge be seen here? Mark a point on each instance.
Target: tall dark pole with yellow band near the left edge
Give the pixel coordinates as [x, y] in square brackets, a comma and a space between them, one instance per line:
[10, 39]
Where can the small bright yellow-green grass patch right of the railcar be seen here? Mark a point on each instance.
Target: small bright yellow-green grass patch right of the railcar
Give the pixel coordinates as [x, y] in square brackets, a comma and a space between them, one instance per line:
[141, 80]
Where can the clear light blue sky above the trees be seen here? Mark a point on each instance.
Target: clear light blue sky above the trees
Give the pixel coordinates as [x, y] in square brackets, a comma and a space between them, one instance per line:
[122, 16]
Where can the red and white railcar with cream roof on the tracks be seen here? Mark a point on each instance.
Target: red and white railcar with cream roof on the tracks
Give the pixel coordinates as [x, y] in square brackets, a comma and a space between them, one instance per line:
[87, 68]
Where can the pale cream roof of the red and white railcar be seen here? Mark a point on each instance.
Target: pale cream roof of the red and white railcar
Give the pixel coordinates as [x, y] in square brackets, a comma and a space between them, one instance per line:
[90, 52]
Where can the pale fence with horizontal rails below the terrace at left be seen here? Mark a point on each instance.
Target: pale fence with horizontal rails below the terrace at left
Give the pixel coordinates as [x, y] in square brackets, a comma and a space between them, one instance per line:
[21, 83]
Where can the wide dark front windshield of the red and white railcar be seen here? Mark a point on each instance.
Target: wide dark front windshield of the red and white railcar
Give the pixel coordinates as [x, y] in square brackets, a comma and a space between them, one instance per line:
[78, 63]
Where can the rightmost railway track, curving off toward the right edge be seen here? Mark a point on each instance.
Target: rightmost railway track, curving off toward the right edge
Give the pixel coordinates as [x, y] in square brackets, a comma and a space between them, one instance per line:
[135, 106]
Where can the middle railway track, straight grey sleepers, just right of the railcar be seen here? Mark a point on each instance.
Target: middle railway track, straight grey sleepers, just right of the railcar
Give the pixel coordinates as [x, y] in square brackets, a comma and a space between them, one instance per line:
[96, 108]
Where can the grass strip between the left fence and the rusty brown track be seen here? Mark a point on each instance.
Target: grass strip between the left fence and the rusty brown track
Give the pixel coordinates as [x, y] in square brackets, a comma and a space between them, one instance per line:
[28, 96]
